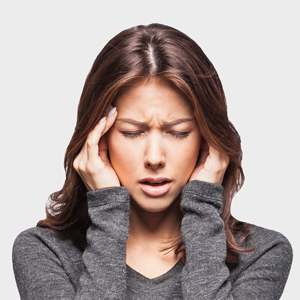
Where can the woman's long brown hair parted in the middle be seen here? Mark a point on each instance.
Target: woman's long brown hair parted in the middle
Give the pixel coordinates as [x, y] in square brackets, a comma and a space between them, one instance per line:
[161, 52]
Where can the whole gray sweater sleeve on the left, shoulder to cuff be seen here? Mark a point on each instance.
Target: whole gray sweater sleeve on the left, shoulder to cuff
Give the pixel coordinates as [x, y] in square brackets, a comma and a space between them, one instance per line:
[40, 274]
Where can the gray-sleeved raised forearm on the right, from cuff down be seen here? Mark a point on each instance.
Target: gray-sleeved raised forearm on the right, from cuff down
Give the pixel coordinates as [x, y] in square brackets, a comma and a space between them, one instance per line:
[205, 273]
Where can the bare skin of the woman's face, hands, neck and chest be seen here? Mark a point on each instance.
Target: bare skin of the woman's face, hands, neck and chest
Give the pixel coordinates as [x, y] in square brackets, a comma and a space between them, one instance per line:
[154, 152]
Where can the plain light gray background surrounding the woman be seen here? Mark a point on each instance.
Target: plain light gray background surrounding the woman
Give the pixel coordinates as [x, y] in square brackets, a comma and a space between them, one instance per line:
[47, 50]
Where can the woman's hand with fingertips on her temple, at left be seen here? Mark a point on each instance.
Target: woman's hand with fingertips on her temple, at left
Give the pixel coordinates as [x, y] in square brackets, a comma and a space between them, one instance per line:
[92, 163]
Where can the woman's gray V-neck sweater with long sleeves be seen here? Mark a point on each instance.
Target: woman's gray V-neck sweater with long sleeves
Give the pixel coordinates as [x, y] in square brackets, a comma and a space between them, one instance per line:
[49, 266]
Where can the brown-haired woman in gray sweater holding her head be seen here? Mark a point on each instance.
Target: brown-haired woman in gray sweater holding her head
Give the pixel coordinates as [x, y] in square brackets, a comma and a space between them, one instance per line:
[151, 171]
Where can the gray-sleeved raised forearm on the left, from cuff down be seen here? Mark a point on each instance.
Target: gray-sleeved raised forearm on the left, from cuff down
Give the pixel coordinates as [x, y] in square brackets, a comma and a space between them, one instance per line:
[105, 256]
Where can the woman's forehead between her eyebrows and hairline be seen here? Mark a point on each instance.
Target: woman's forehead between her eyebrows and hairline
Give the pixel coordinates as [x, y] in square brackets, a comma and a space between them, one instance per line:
[153, 98]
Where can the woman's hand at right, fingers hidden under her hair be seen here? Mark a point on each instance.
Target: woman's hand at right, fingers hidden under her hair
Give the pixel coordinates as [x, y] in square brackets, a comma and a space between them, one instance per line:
[211, 166]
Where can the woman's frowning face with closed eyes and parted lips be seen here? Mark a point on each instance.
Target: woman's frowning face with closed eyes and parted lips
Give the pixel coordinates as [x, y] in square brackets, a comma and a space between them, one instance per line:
[154, 148]
